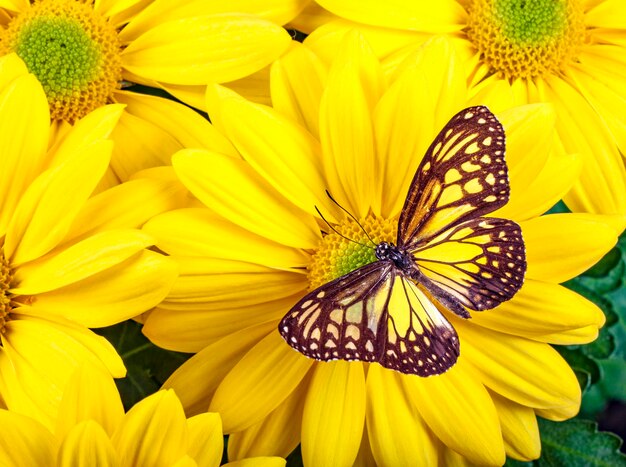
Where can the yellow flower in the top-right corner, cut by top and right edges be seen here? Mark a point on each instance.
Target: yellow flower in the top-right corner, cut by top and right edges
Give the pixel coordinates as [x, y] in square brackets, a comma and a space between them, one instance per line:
[571, 53]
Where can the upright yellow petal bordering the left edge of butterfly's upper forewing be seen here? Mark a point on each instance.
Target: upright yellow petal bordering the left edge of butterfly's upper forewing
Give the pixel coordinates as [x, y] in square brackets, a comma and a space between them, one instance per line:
[409, 116]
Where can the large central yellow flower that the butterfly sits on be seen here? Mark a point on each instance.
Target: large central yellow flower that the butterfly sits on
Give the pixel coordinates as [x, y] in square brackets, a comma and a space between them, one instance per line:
[256, 249]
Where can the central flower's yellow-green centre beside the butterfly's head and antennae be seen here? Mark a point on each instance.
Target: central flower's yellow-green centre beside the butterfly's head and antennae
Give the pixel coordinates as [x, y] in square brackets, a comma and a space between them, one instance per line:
[337, 256]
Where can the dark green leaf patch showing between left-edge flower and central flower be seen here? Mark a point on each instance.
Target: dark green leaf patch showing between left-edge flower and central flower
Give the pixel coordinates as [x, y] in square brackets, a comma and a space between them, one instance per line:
[147, 365]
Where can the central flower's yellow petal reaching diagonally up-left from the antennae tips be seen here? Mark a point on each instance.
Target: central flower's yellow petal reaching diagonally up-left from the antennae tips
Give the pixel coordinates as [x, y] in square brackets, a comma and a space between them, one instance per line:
[283, 153]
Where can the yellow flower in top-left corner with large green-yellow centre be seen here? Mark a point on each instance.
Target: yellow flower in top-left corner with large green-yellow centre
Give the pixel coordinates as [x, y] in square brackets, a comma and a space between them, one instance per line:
[83, 52]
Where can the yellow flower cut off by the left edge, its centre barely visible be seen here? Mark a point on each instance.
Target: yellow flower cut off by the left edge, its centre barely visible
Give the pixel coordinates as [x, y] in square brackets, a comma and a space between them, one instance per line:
[69, 261]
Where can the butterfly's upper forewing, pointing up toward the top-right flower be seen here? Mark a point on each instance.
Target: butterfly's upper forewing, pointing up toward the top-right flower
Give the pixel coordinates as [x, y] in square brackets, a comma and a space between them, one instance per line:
[462, 175]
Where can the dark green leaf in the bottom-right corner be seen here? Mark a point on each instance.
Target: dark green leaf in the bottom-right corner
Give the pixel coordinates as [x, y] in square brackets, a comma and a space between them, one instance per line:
[576, 443]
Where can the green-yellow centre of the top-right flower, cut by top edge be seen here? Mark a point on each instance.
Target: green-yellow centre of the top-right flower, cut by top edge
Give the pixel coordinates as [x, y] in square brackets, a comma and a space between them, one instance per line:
[526, 38]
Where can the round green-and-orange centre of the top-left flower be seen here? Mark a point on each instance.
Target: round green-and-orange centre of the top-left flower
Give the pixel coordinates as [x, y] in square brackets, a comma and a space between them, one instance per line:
[74, 53]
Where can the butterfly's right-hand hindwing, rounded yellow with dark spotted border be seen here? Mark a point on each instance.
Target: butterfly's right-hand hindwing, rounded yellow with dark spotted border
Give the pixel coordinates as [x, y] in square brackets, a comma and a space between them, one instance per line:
[481, 262]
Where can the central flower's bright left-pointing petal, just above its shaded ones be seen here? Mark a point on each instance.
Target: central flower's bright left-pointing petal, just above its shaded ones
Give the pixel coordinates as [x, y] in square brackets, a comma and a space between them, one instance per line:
[200, 232]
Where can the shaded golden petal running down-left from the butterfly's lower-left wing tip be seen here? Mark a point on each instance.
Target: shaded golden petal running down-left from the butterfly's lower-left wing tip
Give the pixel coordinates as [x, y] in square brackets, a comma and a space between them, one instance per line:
[196, 380]
